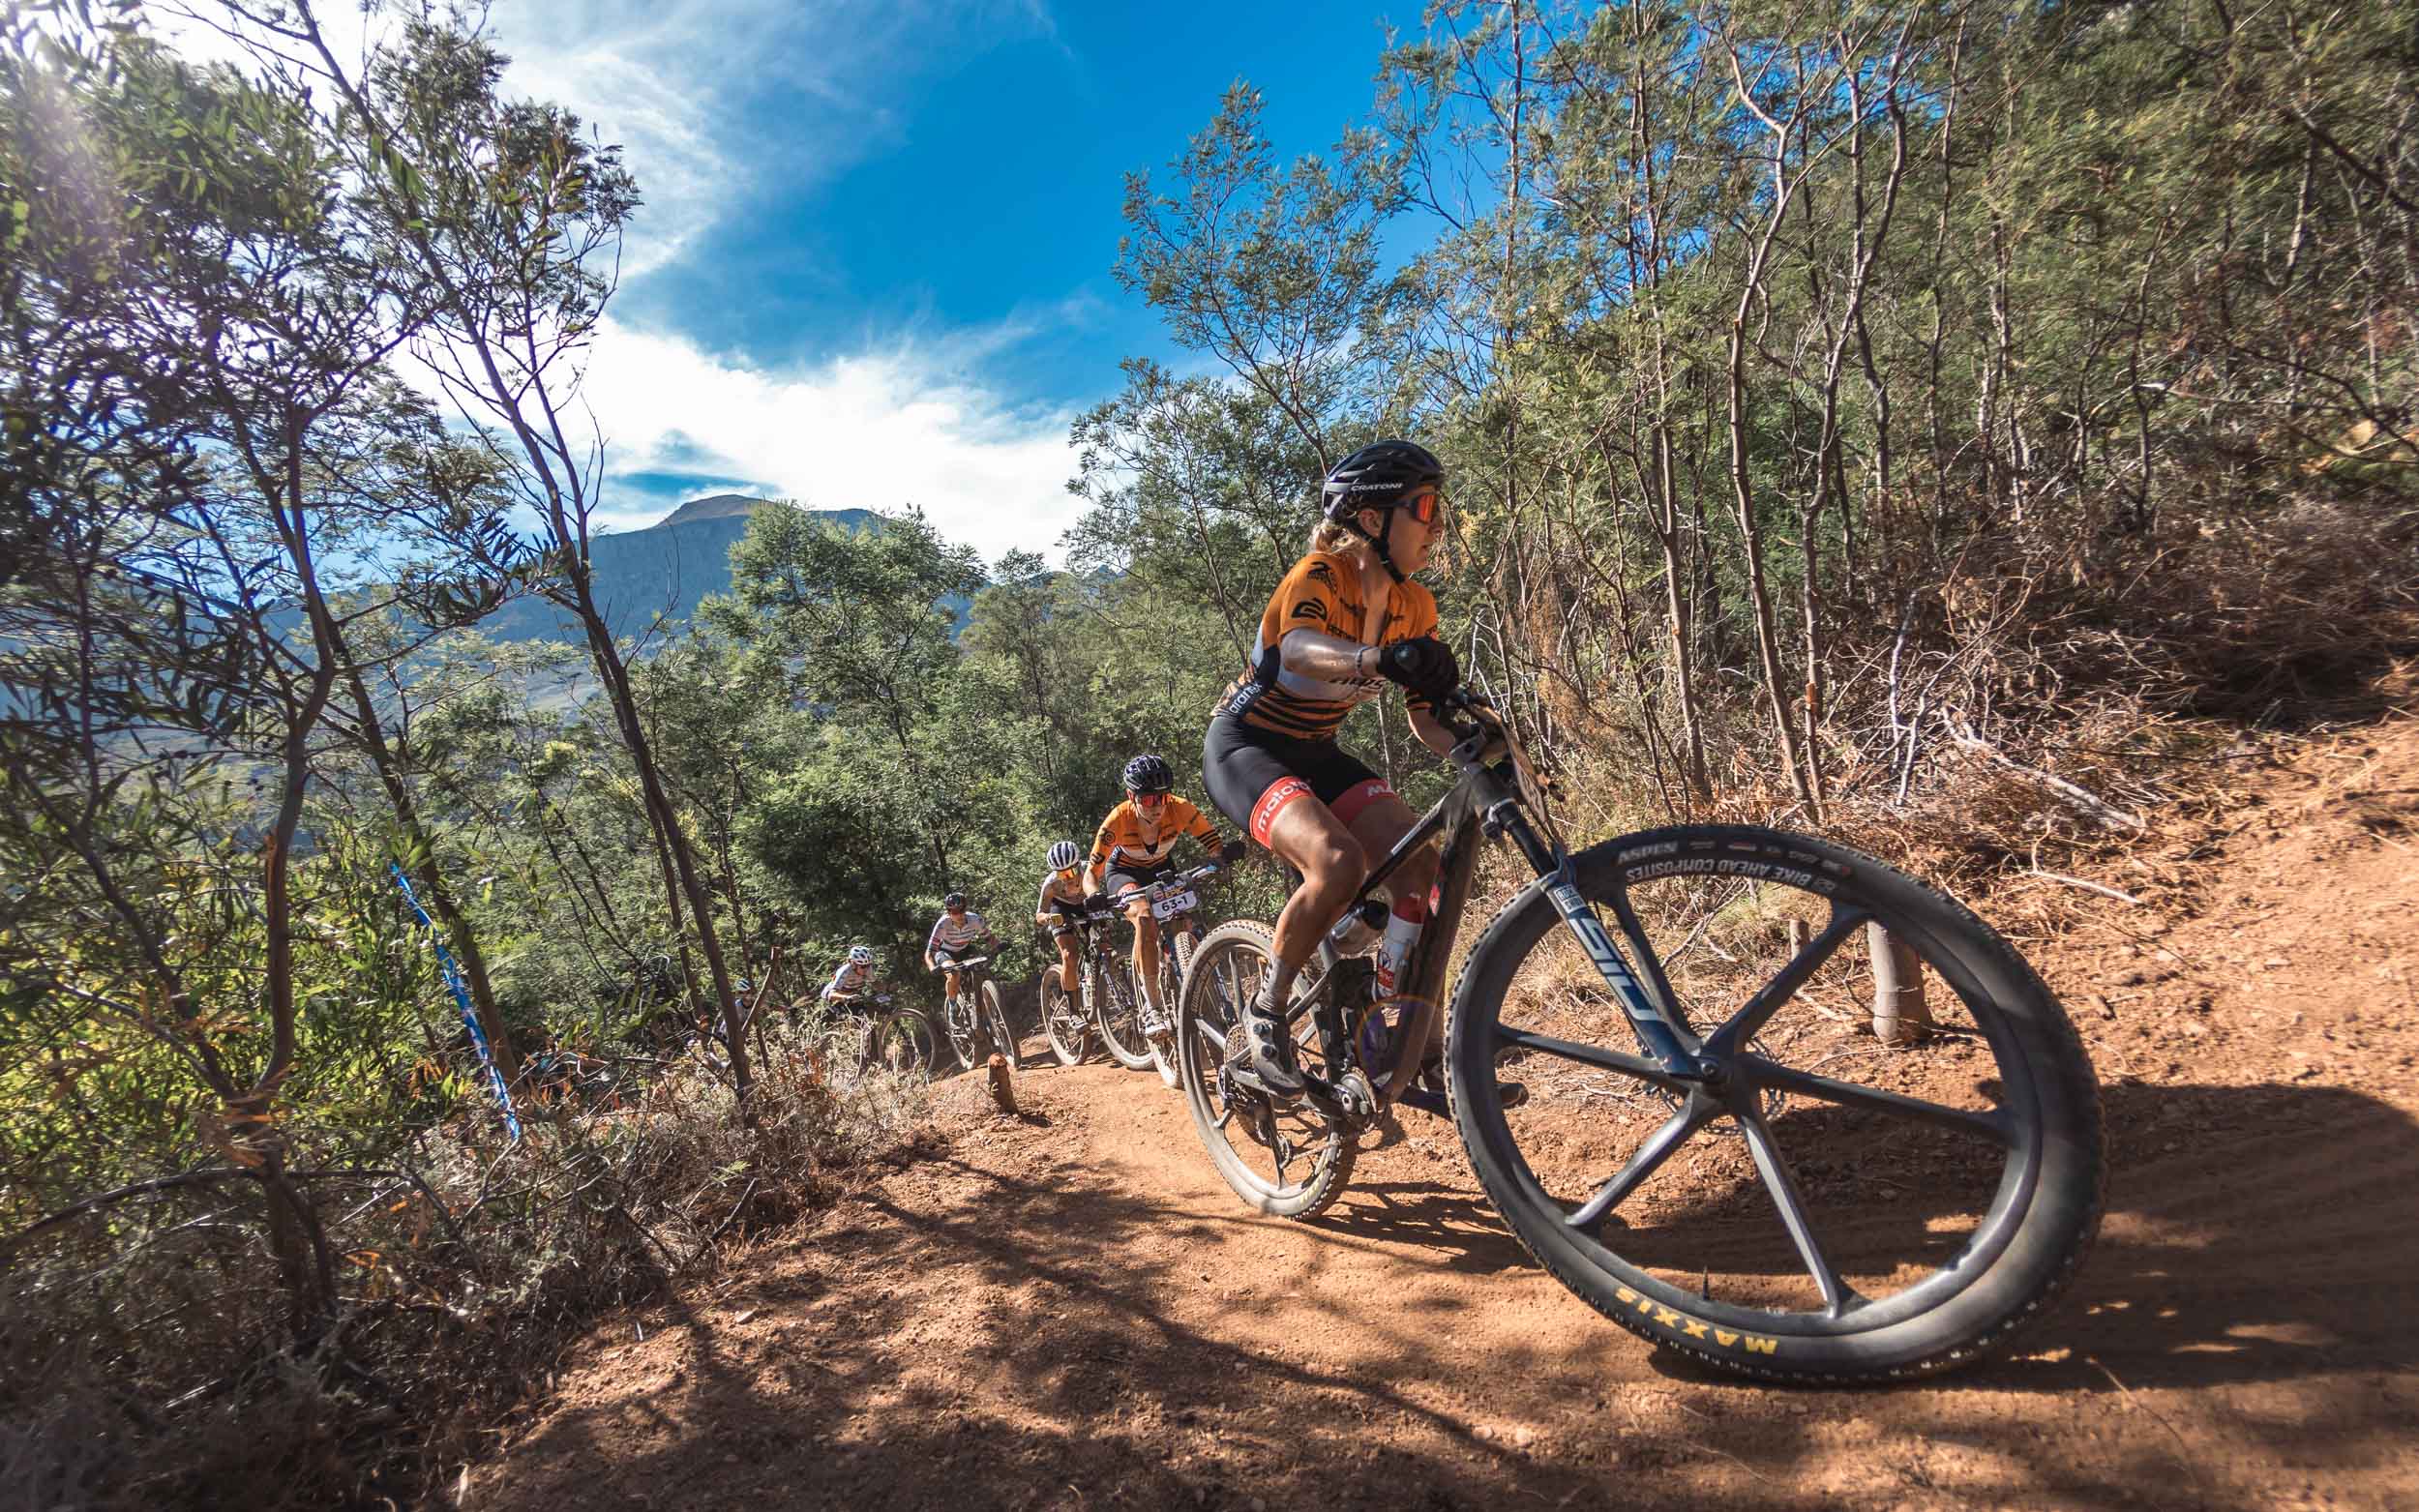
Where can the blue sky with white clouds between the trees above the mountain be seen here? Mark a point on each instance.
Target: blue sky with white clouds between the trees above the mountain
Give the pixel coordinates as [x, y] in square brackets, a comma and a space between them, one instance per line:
[877, 255]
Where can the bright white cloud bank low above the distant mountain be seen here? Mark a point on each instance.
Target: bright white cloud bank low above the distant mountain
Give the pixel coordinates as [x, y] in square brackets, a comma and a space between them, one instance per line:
[877, 429]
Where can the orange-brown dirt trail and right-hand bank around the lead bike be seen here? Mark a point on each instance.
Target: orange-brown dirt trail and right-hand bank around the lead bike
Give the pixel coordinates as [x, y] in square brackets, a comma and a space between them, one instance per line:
[1073, 1312]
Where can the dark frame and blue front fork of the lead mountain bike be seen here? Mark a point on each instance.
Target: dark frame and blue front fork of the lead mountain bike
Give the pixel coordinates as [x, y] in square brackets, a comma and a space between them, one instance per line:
[1489, 804]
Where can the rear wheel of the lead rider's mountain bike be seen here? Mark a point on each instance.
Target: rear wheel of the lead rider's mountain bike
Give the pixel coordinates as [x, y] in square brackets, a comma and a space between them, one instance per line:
[1286, 1160]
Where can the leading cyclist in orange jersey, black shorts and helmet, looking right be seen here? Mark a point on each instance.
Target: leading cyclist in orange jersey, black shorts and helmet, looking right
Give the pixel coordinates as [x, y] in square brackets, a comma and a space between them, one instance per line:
[1344, 623]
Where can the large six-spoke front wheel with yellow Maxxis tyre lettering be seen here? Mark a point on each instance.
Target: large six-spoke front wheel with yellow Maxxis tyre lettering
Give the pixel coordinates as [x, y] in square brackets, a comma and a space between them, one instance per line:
[1847, 1211]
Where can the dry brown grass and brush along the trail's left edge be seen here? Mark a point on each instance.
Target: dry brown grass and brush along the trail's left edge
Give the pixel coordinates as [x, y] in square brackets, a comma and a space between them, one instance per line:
[149, 1358]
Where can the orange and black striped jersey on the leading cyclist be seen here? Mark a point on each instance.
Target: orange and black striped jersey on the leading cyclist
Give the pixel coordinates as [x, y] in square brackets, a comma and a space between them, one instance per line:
[1322, 594]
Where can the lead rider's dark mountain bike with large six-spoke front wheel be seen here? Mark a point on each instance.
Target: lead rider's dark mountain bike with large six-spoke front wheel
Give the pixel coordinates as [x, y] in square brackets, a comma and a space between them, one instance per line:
[1680, 1158]
